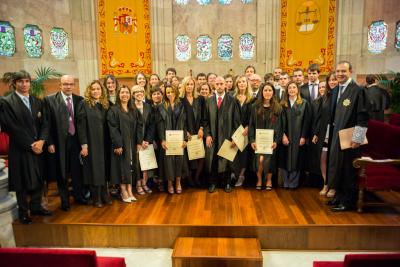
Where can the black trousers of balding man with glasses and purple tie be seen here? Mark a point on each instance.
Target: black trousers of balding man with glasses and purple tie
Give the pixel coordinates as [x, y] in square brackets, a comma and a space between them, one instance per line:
[72, 167]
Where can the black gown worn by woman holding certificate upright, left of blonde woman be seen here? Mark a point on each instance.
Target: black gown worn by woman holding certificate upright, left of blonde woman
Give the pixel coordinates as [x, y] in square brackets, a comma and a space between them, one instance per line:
[172, 119]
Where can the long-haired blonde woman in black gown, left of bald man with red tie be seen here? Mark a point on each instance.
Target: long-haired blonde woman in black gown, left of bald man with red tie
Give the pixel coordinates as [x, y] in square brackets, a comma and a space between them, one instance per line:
[194, 106]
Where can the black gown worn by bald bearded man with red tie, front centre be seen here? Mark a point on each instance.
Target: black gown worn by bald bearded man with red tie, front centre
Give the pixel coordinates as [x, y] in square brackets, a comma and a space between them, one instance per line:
[220, 125]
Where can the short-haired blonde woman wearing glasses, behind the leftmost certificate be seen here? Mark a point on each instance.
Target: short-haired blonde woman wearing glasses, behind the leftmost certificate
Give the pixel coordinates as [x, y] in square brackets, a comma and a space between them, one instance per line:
[145, 110]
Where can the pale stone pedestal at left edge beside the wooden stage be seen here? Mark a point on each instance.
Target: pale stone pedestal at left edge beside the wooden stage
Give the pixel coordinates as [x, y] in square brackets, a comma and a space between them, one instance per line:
[8, 209]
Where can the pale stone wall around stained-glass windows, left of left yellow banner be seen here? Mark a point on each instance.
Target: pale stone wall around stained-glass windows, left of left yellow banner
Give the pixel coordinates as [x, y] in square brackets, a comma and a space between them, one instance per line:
[78, 20]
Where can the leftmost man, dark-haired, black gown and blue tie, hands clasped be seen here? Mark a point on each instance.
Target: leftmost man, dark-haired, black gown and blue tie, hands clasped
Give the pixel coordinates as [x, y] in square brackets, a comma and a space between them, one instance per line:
[23, 118]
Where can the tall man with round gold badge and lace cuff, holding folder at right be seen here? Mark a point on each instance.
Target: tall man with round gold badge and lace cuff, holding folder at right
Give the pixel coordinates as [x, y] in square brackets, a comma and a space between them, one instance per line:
[349, 109]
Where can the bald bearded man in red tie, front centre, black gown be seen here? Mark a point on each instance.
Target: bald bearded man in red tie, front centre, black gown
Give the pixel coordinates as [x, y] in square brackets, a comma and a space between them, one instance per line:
[222, 120]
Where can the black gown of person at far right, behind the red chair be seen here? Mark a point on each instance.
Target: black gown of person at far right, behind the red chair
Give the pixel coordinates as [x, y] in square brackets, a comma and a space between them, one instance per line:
[378, 101]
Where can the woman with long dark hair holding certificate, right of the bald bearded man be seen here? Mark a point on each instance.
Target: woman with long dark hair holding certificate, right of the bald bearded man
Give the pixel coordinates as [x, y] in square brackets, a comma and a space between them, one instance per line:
[266, 117]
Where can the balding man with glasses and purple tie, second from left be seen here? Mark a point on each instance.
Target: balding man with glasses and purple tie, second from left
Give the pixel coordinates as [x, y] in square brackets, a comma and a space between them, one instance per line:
[63, 140]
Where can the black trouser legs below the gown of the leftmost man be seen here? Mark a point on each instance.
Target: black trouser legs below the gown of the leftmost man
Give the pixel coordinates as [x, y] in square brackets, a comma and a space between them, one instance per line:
[24, 205]
